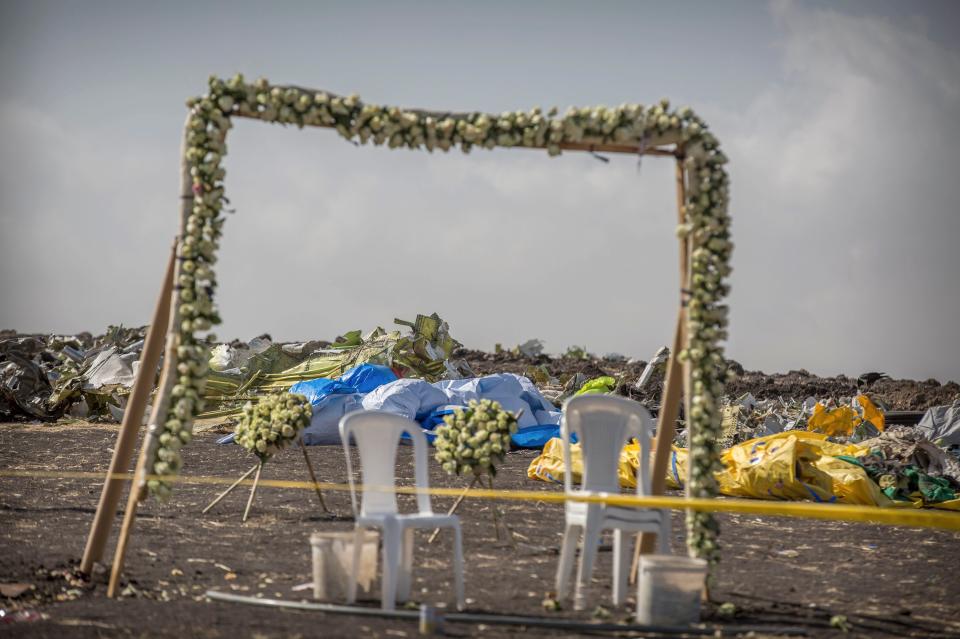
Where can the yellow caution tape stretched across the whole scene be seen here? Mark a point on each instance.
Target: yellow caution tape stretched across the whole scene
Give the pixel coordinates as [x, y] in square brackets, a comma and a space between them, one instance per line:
[833, 512]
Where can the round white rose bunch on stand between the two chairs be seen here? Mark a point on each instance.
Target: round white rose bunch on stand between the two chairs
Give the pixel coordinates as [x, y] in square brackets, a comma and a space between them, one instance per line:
[474, 440]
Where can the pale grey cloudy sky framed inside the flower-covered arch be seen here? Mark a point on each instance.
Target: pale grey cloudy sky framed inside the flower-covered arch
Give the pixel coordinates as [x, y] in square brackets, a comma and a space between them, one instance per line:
[506, 245]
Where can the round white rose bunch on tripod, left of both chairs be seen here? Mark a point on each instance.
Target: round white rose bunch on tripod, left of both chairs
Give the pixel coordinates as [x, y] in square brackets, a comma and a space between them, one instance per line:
[273, 423]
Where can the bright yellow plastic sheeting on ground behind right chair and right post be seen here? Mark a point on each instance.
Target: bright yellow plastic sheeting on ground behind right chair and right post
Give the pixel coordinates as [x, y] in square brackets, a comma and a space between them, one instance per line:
[795, 465]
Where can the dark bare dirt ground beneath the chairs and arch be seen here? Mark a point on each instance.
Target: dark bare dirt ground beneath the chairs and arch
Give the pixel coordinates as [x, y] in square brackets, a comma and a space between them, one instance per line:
[777, 572]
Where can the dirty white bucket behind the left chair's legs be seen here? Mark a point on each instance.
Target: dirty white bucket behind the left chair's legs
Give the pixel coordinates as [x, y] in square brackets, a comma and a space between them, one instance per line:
[332, 558]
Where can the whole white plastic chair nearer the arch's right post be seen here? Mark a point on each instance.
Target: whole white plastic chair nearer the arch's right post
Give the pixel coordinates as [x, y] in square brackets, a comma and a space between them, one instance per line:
[603, 424]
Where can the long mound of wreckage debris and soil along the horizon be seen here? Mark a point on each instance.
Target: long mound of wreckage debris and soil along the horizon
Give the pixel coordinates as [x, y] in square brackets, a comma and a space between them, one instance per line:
[47, 377]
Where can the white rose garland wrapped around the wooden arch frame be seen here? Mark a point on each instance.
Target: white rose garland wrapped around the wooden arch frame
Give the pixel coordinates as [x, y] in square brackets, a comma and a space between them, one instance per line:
[706, 225]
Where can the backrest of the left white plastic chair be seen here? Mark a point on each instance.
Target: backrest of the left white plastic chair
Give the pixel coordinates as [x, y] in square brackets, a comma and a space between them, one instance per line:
[377, 435]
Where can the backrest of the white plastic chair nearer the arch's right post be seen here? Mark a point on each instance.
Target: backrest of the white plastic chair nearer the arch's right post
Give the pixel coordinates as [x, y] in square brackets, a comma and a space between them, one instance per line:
[603, 424]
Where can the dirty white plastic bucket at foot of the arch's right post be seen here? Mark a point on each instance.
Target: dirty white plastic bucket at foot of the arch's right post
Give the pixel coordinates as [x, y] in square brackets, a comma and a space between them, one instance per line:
[669, 588]
